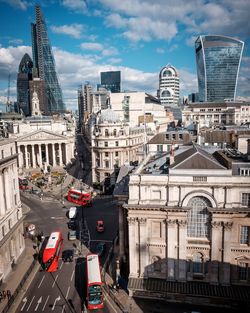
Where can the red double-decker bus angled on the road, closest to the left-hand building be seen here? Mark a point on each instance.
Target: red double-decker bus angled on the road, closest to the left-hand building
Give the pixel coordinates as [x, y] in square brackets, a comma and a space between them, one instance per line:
[52, 252]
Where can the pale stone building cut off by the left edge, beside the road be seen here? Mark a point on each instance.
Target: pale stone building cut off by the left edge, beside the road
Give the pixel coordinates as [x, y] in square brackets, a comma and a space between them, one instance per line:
[11, 219]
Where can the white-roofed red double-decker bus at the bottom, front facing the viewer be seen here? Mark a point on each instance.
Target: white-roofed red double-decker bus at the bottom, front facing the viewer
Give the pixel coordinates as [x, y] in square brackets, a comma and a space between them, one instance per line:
[94, 283]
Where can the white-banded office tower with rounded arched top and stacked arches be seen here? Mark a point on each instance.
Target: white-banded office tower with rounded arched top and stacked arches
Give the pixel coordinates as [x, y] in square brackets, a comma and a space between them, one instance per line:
[169, 86]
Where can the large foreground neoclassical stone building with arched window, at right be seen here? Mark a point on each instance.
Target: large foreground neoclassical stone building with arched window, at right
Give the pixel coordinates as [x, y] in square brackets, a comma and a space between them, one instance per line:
[188, 221]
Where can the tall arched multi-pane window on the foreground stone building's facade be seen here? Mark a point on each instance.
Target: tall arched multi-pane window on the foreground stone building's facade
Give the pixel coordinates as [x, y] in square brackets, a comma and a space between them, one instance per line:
[198, 217]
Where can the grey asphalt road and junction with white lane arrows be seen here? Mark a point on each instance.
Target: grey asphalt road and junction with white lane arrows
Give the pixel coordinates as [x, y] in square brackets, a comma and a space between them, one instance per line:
[63, 290]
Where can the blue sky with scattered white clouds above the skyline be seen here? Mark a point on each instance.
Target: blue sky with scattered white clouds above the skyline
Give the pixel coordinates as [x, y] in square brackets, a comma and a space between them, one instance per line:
[137, 37]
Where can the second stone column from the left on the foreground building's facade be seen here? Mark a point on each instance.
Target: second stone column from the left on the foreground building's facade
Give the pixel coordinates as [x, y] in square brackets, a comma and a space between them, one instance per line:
[142, 222]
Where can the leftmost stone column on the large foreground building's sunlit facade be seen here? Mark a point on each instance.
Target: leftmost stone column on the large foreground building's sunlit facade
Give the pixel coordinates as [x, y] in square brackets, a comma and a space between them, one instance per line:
[133, 258]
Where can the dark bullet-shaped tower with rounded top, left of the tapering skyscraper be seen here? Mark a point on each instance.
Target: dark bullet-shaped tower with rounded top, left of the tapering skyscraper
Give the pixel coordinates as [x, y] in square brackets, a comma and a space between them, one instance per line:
[23, 78]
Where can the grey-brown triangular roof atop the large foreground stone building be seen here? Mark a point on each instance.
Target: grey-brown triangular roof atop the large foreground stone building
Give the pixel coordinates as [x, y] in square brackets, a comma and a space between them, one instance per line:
[196, 158]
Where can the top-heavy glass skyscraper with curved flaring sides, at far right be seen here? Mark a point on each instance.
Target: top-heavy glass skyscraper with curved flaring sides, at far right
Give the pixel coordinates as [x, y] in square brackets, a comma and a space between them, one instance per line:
[218, 61]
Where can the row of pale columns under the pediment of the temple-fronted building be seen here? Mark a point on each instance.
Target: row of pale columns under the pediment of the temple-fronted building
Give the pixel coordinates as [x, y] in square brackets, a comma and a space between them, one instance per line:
[34, 159]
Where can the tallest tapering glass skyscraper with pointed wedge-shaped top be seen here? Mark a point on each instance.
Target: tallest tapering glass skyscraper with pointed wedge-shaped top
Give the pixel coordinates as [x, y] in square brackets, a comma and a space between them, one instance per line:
[44, 63]
